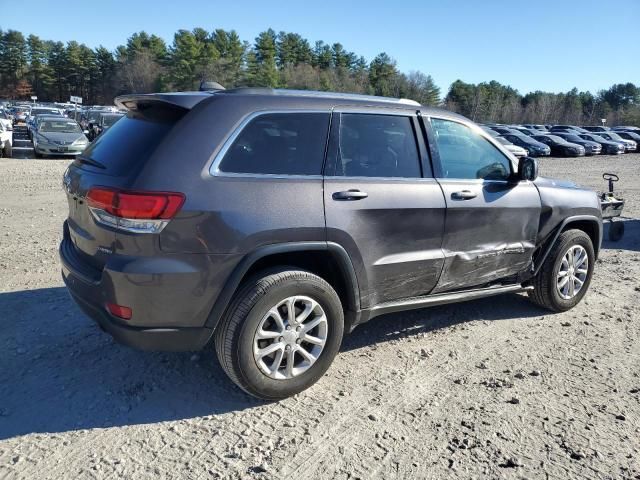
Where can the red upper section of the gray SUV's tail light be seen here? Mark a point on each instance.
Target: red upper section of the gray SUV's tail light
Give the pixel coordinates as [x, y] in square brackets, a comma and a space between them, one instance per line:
[136, 205]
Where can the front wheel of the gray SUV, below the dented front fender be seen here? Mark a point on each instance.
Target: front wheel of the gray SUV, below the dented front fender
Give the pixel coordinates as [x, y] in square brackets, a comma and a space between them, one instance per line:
[566, 273]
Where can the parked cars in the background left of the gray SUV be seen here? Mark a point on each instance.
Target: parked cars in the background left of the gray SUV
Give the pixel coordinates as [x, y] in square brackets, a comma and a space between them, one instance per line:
[56, 129]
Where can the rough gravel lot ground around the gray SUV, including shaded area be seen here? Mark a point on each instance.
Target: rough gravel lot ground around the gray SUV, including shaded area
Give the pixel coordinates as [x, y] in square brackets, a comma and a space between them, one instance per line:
[495, 388]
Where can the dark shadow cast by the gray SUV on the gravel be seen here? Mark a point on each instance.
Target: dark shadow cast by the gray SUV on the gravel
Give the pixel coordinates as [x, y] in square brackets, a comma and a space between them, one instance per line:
[60, 372]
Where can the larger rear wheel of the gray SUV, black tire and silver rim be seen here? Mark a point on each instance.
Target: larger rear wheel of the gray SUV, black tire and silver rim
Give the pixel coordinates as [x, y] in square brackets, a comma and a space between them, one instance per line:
[280, 333]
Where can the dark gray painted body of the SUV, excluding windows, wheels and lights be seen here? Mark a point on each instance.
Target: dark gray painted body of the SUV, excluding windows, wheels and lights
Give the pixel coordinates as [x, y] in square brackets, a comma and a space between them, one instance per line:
[406, 239]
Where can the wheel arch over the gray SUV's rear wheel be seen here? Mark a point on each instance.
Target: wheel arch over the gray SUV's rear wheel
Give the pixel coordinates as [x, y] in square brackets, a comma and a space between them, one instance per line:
[328, 260]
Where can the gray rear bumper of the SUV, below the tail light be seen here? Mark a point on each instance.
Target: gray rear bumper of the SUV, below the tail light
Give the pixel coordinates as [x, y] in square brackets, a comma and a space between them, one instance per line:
[171, 298]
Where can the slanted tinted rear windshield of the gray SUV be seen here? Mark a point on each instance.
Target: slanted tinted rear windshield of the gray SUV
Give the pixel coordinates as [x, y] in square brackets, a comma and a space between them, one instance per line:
[130, 141]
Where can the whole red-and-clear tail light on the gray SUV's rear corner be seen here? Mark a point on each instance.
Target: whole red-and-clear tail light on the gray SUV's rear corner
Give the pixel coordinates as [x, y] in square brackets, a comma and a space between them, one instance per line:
[134, 211]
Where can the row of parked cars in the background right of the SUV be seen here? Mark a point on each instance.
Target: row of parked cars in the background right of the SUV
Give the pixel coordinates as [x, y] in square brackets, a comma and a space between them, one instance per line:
[565, 140]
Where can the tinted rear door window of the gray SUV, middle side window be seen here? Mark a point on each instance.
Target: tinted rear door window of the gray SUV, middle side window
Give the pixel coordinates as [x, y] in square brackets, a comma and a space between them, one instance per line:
[374, 145]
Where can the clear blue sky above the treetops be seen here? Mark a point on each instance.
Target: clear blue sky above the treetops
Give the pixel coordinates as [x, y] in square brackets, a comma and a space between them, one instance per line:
[549, 45]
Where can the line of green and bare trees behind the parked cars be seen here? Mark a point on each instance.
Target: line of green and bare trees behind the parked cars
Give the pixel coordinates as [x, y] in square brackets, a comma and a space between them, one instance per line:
[53, 71]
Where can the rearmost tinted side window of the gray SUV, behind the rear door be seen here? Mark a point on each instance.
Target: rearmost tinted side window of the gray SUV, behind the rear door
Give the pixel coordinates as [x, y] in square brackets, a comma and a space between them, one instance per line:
[279, 144]
